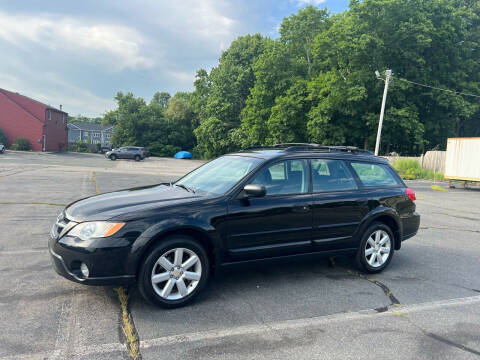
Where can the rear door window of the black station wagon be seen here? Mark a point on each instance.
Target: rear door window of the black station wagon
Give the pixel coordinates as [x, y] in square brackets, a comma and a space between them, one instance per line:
[331, 175]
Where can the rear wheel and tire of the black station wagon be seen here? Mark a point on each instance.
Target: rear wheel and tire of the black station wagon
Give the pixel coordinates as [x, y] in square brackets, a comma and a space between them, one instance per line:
[376, 248]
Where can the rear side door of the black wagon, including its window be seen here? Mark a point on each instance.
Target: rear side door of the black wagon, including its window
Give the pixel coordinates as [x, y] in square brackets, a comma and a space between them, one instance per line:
[338, 207]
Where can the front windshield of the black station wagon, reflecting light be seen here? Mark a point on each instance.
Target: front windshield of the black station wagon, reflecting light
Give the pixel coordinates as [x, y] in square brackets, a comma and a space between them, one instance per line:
[220, 175]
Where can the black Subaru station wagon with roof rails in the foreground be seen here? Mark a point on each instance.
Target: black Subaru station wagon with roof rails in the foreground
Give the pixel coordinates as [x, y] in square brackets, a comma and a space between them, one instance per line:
[257, 204]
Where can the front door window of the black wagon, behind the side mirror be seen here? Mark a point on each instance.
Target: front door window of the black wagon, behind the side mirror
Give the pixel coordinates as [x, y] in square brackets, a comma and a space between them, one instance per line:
[284, 177]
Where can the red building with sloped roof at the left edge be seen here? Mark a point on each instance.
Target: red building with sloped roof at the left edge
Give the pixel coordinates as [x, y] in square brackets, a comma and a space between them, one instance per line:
[43, 125]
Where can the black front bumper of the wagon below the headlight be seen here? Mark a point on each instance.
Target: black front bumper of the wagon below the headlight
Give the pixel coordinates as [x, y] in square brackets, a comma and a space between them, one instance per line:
[106, 266]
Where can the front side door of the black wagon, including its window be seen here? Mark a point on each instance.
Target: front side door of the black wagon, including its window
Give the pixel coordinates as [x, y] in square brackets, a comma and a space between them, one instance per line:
[280, 223]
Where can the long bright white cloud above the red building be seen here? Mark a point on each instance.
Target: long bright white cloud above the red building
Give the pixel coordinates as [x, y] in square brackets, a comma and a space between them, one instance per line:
[117, 46]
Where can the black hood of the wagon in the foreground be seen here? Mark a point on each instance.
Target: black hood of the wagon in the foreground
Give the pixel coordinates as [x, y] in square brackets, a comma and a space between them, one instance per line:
[106, 206]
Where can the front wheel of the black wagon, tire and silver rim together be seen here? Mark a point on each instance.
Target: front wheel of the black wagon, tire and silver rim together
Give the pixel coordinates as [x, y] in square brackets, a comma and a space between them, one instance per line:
[174, 272]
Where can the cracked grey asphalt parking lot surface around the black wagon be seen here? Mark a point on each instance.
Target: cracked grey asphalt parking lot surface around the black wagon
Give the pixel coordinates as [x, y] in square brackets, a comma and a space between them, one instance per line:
[426, 305]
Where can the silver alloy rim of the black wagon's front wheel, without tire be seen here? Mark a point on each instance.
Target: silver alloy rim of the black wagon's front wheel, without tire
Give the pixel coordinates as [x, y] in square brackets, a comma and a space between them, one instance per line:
[176, 273]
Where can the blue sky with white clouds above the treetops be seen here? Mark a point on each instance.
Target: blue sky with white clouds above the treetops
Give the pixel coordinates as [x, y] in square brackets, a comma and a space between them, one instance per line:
[81, 53]
